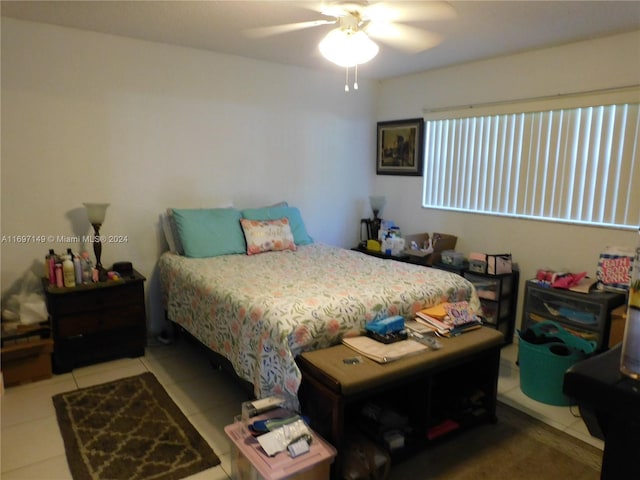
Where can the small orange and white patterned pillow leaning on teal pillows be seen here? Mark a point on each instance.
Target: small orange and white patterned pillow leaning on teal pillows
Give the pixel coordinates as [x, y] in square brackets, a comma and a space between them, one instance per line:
[267, 235]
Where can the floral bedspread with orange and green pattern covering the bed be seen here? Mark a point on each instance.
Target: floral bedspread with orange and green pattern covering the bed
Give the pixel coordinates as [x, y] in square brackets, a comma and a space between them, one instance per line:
[260, 311]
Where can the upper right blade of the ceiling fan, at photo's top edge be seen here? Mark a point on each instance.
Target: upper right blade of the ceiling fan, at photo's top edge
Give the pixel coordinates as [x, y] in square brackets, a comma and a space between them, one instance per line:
[409, 11]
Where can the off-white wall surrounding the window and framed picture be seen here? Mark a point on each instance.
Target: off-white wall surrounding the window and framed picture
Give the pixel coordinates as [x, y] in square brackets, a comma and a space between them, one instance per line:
[584, 66]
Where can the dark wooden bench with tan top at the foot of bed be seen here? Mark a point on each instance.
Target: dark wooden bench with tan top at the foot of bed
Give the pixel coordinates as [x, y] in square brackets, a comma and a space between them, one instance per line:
[332, 391]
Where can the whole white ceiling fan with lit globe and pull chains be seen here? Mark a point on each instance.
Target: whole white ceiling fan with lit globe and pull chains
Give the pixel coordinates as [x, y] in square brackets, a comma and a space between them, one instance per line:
[357, 22]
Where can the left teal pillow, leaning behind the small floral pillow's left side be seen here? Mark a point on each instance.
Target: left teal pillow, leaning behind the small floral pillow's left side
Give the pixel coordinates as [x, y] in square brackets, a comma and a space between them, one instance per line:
[209, 232]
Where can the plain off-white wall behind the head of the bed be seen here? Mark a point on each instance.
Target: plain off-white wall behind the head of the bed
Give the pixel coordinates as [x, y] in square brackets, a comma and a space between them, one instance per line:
[146, 126]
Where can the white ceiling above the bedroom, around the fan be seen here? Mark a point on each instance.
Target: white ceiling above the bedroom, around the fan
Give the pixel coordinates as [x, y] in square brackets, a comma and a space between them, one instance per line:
[479, 29]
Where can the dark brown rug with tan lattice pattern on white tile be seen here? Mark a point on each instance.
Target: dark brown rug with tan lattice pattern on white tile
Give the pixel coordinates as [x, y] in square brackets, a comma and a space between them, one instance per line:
[129, 429]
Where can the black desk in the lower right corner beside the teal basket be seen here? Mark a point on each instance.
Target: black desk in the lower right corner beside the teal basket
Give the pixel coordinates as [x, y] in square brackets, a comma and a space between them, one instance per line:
[609, 403]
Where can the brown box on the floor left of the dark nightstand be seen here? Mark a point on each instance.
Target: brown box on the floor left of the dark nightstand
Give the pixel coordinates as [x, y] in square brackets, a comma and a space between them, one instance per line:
[26, 360]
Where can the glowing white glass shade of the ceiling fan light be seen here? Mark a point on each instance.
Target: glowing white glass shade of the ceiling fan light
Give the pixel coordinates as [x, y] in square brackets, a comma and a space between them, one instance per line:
[347, 48]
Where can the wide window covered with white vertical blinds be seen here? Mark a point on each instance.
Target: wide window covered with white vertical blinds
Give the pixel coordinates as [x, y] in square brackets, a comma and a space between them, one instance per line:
[576, 165]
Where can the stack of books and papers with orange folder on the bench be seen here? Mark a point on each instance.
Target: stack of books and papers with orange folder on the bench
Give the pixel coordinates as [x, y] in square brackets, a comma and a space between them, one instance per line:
[449, 319]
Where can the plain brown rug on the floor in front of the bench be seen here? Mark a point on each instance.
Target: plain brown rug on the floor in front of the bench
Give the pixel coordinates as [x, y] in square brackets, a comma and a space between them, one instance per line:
[518, 447]
